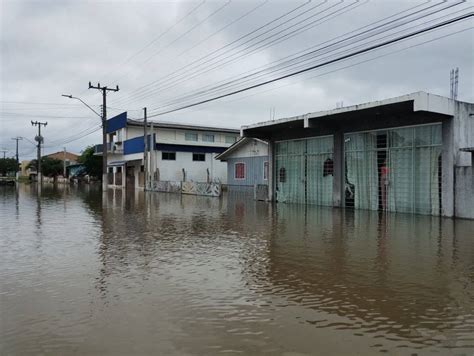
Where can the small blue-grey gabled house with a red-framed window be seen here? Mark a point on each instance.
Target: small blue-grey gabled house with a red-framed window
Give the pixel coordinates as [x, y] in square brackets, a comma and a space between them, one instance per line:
[247, 163]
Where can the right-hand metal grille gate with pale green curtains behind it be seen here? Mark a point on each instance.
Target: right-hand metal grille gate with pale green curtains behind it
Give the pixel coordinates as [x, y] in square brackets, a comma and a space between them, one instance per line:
[395, 170]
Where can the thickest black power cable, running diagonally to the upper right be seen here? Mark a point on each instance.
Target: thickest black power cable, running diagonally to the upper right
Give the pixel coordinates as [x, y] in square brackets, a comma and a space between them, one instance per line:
[362, 51]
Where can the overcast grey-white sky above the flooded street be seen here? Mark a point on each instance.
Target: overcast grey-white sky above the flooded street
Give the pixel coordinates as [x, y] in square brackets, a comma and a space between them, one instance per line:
[49, 48]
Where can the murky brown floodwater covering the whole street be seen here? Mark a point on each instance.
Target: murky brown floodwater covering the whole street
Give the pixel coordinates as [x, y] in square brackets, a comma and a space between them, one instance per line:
[163, 274]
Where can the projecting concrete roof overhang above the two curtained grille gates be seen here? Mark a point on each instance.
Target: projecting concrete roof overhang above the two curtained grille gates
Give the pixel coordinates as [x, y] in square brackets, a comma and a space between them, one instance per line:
[415, 103]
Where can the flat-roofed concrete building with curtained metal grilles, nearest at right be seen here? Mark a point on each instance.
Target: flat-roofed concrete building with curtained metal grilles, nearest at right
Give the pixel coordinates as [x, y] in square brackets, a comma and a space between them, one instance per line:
[409, 154]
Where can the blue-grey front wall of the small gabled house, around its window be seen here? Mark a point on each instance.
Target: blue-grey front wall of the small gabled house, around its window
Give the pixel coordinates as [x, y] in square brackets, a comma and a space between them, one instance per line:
[253, 170]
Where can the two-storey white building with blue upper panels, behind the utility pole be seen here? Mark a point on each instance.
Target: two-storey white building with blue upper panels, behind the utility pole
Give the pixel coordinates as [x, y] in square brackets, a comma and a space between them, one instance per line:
[178, 152]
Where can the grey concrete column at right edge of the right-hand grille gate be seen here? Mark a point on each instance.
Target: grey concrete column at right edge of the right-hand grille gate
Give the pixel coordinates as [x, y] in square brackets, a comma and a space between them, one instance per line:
[447, 175]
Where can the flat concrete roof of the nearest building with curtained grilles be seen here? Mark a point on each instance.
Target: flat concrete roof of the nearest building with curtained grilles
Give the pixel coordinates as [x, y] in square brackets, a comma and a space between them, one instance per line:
[414, 102]
